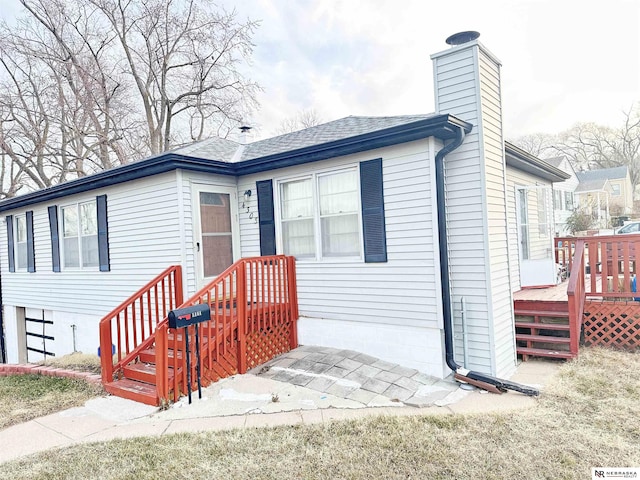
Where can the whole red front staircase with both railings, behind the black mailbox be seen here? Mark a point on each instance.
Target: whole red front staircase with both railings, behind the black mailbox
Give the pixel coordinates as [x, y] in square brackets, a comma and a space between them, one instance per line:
[150, 365]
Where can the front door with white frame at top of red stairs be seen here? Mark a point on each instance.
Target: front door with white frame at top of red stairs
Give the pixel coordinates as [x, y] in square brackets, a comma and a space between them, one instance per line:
[216, 235]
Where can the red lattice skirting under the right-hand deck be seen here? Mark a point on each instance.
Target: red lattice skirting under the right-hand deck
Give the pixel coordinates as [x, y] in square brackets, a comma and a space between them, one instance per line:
[615, 324]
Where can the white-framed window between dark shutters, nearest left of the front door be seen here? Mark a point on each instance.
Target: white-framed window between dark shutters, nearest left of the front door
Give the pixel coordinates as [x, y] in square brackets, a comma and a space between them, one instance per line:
[80, 235]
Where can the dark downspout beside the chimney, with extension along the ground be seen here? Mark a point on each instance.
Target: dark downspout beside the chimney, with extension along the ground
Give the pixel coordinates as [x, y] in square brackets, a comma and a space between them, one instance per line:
[481, 380]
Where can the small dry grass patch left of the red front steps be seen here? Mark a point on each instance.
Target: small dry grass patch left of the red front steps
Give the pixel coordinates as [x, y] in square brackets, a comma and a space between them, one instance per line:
[25, 397]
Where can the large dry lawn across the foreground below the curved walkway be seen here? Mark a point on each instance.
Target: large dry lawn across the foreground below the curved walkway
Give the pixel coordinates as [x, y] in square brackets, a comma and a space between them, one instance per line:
[589, 417]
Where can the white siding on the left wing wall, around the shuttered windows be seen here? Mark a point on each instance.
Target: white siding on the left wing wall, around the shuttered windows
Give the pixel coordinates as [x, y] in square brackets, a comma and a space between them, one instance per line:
[143, 240]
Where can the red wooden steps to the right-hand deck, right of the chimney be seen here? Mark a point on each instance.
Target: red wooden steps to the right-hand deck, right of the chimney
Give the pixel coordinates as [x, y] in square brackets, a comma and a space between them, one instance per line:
[542, 328]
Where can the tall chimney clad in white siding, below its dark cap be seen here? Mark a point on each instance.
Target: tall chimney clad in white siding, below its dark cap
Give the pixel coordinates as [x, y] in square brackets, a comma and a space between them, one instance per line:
[467, 80]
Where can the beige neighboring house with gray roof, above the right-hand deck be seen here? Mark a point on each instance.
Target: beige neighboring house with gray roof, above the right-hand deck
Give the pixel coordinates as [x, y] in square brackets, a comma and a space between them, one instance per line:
[606, 192]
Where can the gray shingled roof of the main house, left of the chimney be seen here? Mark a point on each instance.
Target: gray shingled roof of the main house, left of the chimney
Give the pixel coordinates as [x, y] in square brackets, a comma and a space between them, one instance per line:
[229, 151]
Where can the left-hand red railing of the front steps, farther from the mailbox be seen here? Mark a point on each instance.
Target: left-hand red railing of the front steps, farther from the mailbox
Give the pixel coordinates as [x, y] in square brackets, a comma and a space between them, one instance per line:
[134, 322]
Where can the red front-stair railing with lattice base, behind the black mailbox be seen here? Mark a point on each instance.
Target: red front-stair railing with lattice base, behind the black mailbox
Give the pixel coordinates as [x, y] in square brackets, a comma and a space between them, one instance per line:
[253, 316]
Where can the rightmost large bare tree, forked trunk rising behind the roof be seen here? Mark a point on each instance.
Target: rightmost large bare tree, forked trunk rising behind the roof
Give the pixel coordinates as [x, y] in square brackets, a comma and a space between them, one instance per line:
[183, 58]
